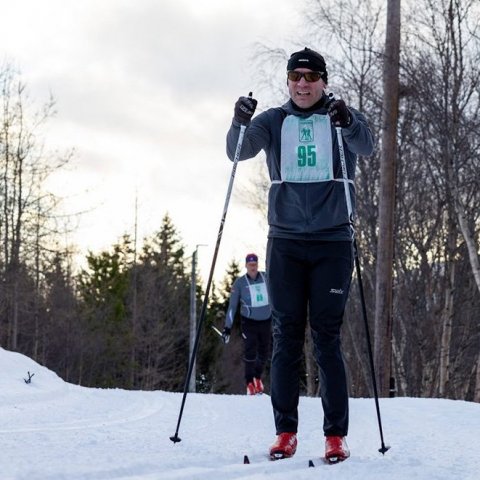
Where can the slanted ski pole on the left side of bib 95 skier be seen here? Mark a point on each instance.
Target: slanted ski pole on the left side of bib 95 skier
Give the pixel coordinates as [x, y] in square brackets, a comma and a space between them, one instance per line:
[175, 438]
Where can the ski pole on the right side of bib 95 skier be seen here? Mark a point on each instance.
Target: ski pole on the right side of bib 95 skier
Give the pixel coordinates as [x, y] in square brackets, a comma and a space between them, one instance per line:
[383, 449]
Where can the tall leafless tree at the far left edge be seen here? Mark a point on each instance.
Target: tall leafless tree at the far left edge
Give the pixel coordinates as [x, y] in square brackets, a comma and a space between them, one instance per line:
[26, 209]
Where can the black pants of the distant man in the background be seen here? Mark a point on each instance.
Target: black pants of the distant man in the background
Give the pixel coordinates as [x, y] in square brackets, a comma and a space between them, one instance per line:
[257, 335]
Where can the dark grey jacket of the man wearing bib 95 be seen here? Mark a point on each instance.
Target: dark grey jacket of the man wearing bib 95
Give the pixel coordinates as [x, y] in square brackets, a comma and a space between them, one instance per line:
[309, 211]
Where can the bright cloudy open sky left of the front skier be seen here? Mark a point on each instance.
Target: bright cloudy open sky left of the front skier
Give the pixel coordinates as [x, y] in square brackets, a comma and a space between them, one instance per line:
[144, 93]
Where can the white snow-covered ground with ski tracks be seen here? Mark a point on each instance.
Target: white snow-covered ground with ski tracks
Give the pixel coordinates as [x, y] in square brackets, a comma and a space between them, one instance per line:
[50, 430]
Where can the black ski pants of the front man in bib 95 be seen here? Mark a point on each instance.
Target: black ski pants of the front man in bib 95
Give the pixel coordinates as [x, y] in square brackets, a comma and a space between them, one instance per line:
[308, 278]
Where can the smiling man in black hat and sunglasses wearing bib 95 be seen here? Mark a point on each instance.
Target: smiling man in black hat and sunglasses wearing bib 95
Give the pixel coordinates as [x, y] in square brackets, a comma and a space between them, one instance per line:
[309, 249]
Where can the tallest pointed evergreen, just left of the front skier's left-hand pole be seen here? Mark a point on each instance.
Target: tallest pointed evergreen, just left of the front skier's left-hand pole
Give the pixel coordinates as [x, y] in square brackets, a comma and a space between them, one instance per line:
[163, 294]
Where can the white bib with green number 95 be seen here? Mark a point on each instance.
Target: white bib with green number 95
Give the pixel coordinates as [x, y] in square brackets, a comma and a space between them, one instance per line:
[306, 149]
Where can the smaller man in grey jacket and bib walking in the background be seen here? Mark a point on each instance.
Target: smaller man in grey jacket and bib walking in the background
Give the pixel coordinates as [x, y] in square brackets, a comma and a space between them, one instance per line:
[250, 290]
